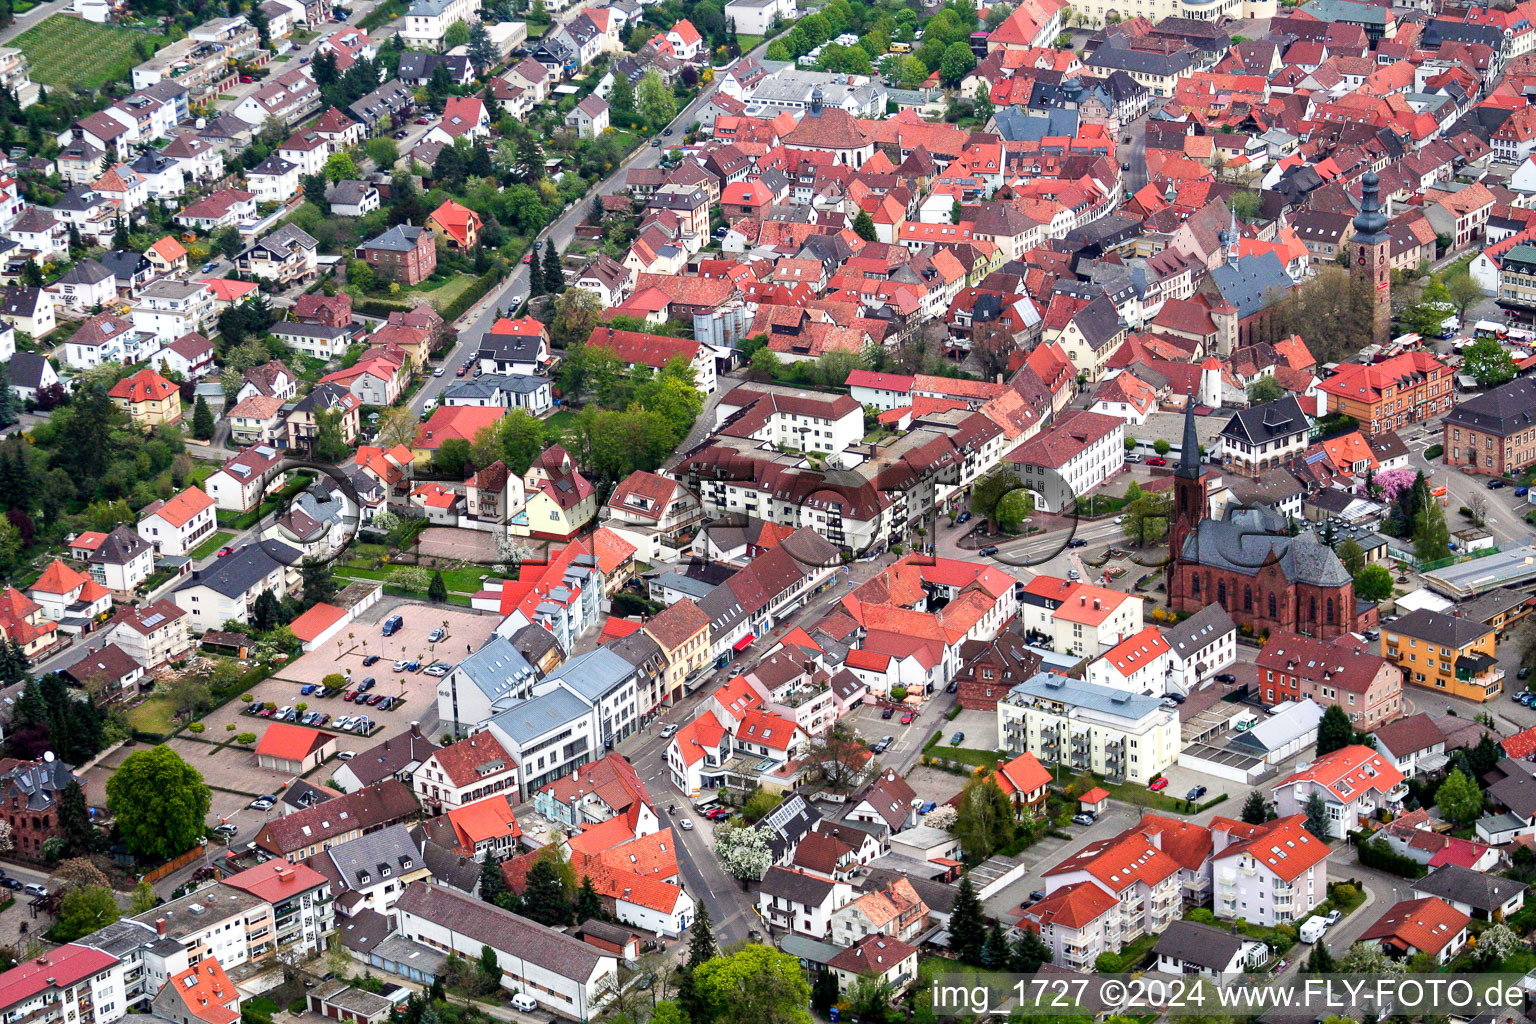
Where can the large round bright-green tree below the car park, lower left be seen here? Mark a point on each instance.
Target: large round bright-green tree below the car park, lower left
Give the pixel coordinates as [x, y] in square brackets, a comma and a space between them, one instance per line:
[161, 804]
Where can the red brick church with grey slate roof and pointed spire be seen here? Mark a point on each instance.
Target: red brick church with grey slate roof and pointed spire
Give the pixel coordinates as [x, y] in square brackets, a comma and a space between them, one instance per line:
[1250, 564]
